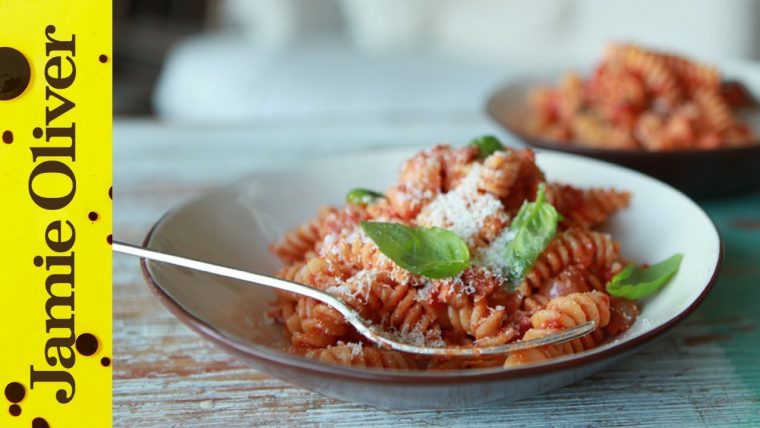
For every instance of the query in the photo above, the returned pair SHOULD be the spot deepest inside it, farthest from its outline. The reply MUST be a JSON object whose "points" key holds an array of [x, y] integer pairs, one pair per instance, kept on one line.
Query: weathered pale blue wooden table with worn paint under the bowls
{"points": [[706, 372]]}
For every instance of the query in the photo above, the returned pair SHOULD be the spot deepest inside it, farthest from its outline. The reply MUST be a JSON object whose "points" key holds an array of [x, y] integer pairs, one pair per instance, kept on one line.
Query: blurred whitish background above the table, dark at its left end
{"points": [[240, 61]]}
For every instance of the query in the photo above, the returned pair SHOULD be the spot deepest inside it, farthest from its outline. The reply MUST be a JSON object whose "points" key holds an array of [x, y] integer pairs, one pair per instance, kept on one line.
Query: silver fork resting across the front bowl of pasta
{"points": [[364, 327]]}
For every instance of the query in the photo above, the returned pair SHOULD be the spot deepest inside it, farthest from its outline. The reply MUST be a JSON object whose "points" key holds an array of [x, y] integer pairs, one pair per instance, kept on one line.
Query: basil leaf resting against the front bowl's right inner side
{"points": [[636, 282]]}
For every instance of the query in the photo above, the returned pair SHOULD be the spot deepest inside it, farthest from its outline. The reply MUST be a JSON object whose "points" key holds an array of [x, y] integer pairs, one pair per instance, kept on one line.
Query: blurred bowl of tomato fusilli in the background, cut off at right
{"points": [[677, 120]]}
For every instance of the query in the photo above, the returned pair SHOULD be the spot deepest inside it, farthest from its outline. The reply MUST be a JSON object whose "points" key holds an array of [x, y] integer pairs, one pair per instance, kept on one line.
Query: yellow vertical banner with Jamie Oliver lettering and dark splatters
{"points": [[55, 213]]}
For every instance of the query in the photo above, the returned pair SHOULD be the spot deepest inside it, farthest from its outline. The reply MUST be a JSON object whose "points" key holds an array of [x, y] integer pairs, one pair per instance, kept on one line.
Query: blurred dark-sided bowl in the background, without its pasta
{"points": [[698, 173]]}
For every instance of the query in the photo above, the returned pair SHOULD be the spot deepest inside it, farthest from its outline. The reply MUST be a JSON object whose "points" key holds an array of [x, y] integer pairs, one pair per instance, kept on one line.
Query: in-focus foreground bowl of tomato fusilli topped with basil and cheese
{"points": [[477, 245]]}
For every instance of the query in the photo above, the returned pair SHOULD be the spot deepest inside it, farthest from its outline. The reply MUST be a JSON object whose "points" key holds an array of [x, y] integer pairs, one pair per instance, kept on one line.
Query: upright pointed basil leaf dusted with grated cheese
{"points": [[533, 228]]}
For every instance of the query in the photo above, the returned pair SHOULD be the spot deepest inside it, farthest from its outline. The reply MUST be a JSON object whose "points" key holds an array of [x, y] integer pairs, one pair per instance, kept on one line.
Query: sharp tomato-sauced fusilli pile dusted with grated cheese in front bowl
{"points": [[476, 198]]}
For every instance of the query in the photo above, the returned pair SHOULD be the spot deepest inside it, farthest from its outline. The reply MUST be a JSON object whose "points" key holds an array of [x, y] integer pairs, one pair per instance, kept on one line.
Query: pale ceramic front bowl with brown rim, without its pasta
{"points": [[234, 224]]}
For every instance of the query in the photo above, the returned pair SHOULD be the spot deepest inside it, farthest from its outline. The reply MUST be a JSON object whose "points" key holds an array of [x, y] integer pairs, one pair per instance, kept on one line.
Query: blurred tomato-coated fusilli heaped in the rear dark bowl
{"points": [[639, 99]]}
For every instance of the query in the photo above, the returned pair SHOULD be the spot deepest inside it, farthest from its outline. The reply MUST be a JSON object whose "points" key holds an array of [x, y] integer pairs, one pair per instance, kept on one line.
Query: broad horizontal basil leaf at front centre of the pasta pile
{"points": [[431, 252]]}
